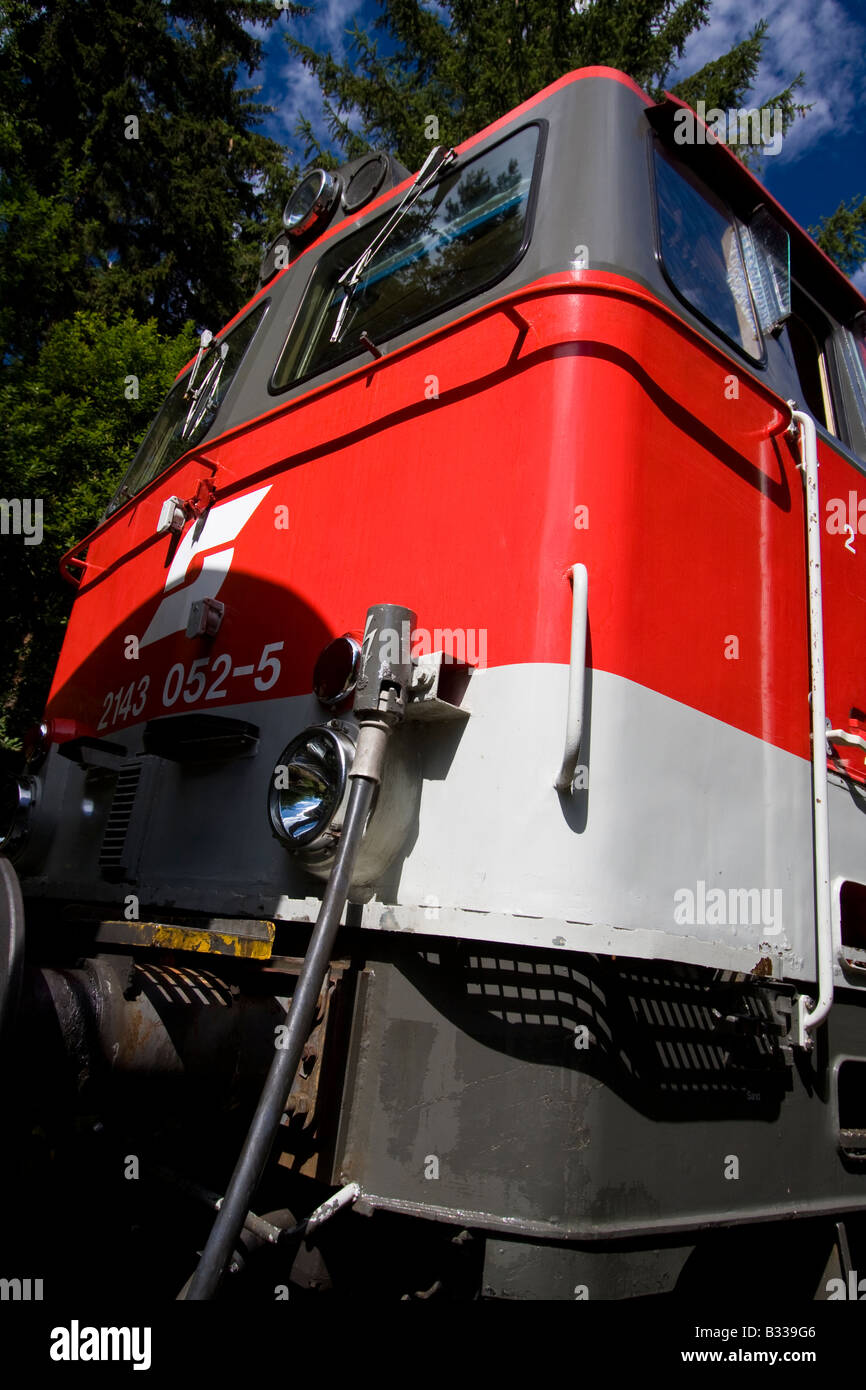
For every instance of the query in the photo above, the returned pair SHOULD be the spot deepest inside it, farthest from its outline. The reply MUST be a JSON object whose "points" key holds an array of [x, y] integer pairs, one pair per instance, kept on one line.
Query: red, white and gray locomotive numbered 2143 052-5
{"points": [[447, 829]]}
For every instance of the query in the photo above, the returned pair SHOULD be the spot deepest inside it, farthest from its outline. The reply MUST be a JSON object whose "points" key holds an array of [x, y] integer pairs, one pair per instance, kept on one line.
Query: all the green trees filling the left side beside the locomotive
{"points": [[111, 247]]}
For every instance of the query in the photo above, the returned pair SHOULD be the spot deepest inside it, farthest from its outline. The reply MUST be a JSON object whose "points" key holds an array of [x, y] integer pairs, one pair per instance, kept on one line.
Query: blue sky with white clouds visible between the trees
{"points": [[824, 158]]}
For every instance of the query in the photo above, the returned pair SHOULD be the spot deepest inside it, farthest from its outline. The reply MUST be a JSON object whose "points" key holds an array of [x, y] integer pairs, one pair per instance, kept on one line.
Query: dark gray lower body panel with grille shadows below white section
{"points": [[585, 1099]]}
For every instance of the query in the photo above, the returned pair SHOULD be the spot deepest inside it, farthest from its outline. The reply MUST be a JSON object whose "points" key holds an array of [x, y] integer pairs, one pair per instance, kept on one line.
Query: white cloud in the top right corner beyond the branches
{"points": [[815, 35]]}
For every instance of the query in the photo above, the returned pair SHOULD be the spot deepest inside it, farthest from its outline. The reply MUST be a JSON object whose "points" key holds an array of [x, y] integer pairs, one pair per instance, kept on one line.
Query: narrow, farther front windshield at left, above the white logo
{"points": [[188, 416]]}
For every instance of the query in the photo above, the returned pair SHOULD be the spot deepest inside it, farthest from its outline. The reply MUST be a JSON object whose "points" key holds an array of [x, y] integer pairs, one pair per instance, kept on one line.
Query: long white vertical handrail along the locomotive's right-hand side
{"points": [[810, 1013]]}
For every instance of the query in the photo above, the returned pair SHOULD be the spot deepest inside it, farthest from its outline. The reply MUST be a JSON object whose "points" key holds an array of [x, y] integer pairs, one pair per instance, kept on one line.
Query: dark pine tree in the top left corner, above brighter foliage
{"points": [[133, 173]]}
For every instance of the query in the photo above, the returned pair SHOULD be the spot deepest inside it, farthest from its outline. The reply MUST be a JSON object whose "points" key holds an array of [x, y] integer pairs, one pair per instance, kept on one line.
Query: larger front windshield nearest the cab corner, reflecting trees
{"points": [[461, 236]]}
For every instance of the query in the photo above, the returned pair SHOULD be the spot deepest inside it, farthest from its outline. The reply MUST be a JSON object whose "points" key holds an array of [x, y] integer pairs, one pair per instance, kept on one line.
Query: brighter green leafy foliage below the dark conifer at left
{"points": [[70, 432]]}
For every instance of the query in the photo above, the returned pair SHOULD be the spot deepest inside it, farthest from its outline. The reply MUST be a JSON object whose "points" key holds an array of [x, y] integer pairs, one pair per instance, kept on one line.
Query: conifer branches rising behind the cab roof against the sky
{"points": [[475, 60]]}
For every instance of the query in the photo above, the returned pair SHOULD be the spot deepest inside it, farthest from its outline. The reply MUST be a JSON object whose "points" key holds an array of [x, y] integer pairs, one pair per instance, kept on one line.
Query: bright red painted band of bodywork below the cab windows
{"points": [[582, 393]]}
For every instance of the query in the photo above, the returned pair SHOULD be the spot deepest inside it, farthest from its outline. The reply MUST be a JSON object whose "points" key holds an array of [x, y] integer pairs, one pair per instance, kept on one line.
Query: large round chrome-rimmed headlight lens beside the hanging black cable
{"points": [[308, 789]]}
